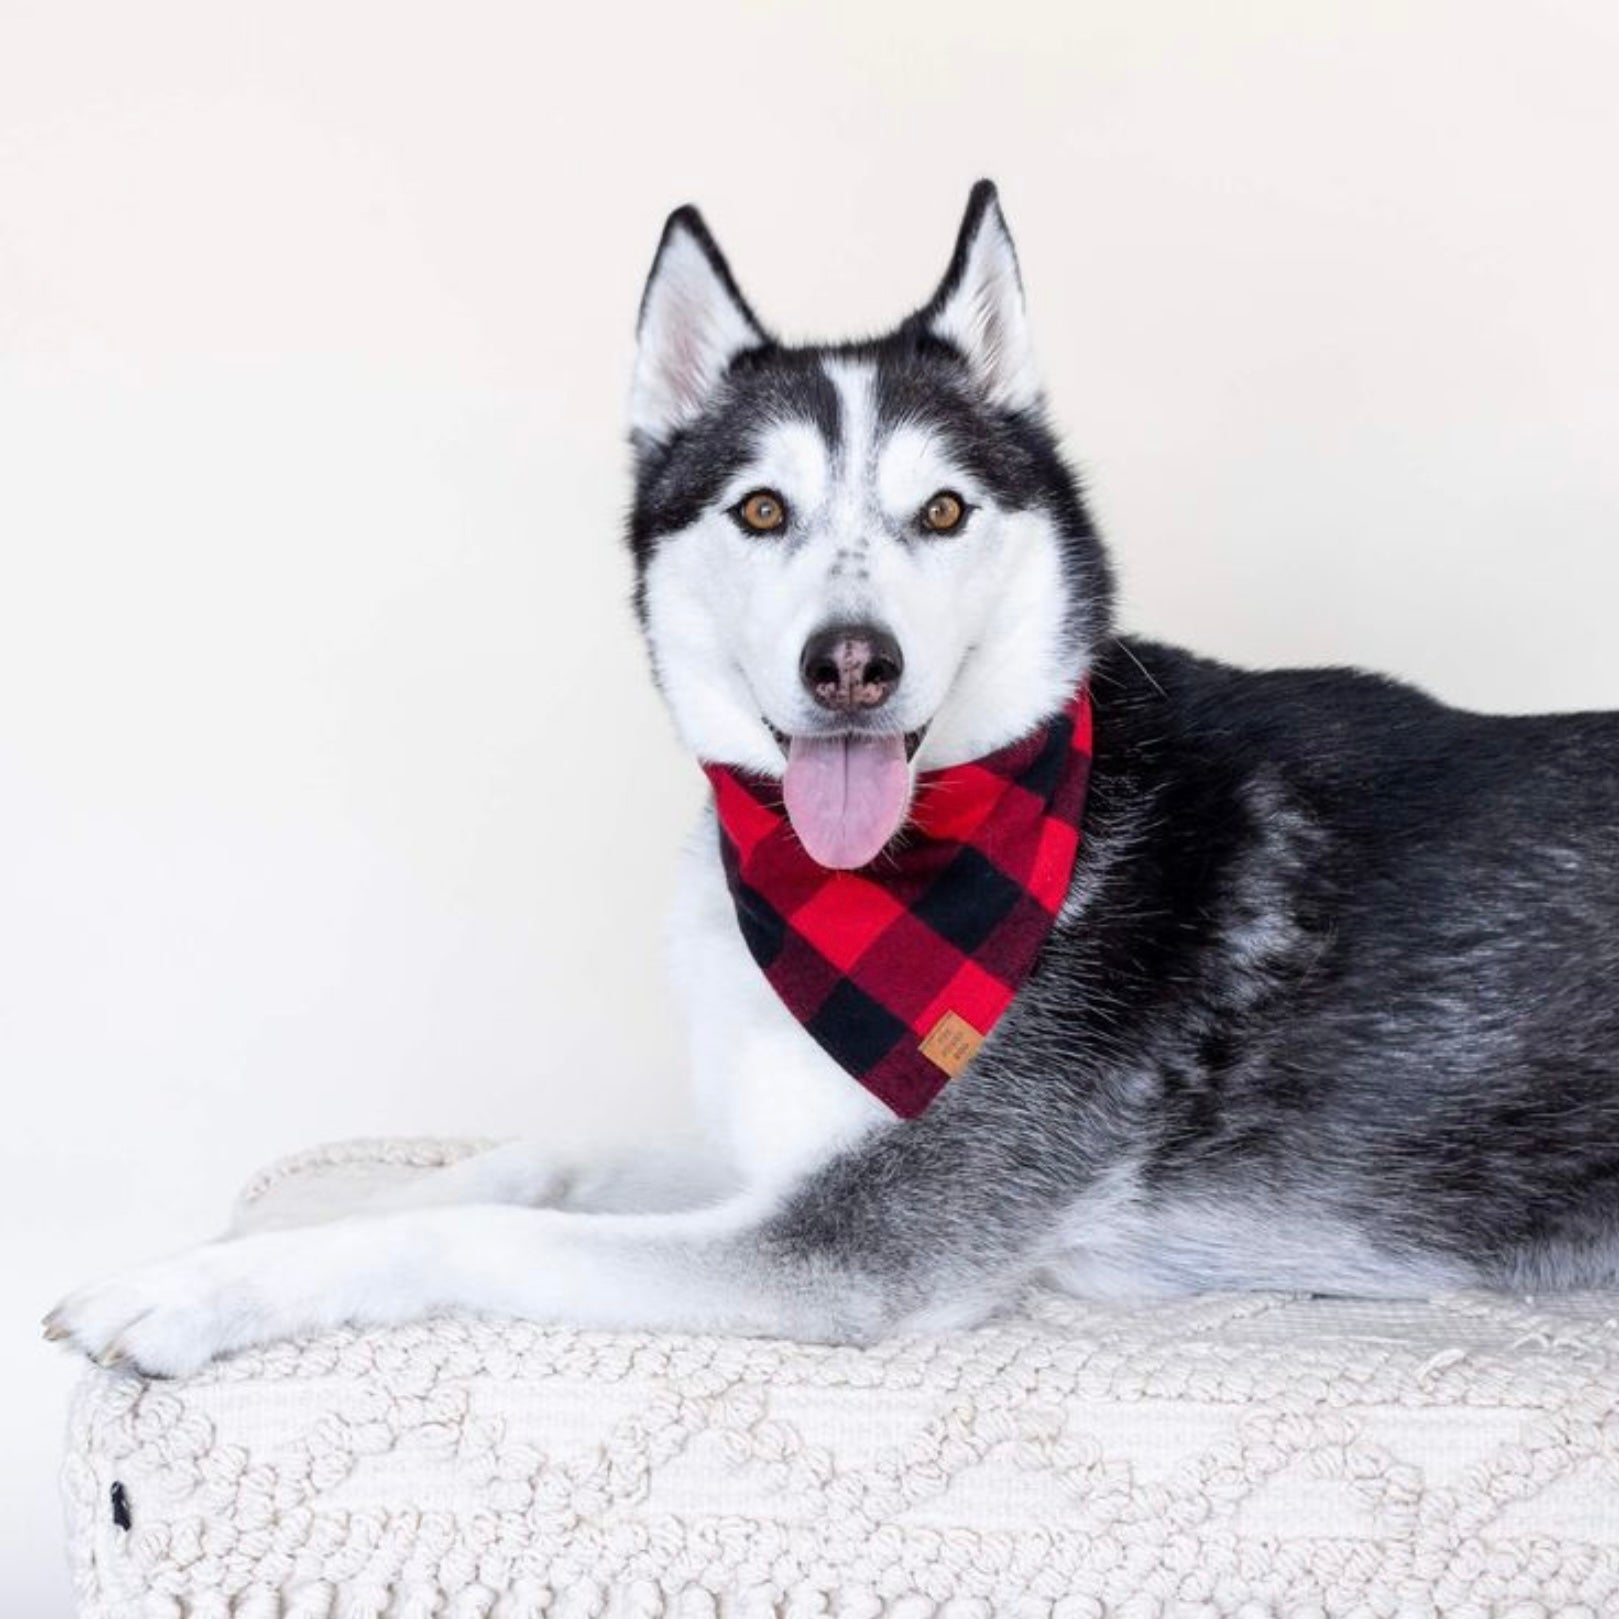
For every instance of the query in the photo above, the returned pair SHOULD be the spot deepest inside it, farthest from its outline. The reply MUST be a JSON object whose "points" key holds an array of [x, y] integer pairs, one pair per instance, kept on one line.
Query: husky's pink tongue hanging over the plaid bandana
{"points": [[846, 796]]}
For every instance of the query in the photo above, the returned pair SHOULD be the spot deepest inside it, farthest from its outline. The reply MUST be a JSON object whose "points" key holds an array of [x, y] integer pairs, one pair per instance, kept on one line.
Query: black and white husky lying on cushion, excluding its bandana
{"points": [[1332, 1003]]}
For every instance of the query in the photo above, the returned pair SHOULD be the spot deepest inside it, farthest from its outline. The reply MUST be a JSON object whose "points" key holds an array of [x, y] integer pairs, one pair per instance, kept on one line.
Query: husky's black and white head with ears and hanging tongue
{"points": [[856, 561]]}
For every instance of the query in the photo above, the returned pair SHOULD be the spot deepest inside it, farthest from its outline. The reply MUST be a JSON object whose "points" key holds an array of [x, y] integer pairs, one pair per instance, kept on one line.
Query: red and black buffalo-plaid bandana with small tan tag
{"points": [[903, 969]]}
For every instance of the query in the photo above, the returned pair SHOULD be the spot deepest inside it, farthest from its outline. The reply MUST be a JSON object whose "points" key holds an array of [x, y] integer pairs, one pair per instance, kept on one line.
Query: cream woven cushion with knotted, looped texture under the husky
{"points": [[1233, 1455]]}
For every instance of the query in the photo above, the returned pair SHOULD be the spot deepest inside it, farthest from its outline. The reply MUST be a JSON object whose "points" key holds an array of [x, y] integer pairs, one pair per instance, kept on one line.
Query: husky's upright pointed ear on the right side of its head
{"points": [[979, 307]]}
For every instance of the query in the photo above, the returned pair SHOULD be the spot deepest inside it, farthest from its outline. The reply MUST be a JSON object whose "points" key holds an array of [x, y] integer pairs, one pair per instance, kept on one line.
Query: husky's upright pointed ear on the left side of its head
{"points": [[694, 325]]}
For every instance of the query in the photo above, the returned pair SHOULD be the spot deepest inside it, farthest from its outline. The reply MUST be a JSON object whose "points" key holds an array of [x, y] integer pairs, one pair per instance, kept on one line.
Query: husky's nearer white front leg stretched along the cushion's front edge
{"points": [[699, 1272]]}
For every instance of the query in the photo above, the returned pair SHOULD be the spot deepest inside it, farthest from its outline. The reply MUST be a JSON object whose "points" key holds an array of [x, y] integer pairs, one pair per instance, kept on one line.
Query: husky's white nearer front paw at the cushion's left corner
{"points": [[172, 1319]]}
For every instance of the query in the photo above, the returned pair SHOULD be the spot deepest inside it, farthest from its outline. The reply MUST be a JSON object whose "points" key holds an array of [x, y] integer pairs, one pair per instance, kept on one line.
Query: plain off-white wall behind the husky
{"points": [[333, 794]]}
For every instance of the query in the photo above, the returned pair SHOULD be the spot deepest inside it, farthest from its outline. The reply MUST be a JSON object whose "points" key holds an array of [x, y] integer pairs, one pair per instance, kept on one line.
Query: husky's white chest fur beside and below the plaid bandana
{"points": [[778, 1102]]}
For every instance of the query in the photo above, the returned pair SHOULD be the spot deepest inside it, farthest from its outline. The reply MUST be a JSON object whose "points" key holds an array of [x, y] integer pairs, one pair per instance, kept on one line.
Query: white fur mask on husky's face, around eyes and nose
{"points": [[979, 614]]}
